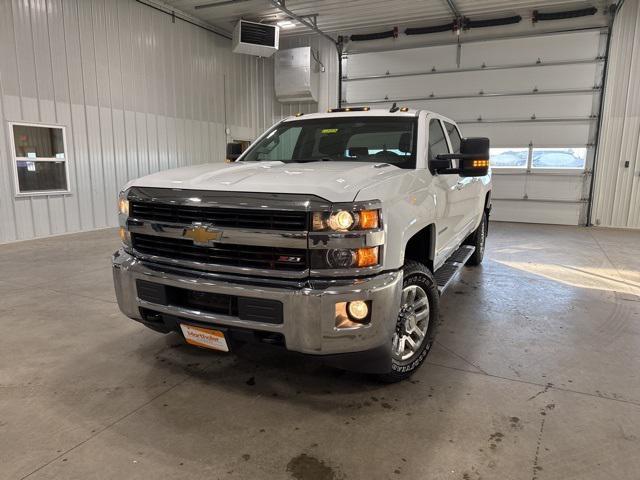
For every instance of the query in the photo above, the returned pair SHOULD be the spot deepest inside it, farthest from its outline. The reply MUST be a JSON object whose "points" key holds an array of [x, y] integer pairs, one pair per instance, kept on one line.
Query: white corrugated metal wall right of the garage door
{"points": [[617, 186]]}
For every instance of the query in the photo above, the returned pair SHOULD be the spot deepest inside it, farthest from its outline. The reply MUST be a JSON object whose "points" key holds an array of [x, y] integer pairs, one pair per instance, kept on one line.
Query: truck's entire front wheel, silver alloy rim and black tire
{"points": [[416, 322]]}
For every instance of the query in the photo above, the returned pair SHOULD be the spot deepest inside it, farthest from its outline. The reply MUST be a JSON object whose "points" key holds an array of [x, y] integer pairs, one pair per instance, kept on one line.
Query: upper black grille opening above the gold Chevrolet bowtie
{"points": [[280, 220]]}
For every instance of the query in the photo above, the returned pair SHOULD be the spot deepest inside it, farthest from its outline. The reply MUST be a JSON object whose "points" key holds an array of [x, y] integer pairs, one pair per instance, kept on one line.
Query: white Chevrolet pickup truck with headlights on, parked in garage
{"points": [[333, 236]]}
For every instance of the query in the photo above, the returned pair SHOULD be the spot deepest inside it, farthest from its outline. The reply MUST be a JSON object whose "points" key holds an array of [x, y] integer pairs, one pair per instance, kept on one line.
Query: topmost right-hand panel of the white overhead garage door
{"points": [[522, 51]]}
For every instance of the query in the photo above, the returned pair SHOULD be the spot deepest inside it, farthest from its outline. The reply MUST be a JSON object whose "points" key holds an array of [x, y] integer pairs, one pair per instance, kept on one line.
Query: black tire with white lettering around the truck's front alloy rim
{"points": [[415, 274]]}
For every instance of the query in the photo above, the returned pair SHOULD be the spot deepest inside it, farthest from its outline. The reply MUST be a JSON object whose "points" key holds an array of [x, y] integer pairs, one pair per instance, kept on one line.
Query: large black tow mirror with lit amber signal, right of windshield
{"points": [[473, 159]]}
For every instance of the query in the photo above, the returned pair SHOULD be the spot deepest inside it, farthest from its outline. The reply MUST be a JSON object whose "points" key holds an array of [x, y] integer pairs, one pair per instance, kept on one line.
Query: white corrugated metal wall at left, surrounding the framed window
{"points": [[136, 93]]}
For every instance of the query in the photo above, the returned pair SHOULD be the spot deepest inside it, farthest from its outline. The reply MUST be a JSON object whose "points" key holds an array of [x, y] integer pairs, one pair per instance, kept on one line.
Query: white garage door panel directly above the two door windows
{"points": [[505, 135]]}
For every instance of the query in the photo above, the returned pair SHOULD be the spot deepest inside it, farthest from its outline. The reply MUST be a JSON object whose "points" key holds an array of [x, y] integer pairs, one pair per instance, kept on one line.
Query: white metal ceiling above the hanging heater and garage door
{"points": [[349, 16]]}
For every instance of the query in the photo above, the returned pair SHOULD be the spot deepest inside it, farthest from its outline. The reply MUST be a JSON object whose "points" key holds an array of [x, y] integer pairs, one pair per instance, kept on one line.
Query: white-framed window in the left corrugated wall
{"points": [[40, 159]]}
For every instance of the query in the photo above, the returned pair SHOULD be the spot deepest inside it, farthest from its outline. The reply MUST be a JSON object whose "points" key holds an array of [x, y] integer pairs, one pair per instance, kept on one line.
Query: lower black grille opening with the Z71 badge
{"points": [[243, 256]]}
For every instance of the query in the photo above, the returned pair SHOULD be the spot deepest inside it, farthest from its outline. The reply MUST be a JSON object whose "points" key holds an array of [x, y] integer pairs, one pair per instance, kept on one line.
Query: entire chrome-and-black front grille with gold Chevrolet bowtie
{"points": [[257, 234]]}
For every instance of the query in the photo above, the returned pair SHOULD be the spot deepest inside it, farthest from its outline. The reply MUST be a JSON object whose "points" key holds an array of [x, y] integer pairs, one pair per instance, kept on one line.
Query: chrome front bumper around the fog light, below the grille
{"points": [[308, 311]]}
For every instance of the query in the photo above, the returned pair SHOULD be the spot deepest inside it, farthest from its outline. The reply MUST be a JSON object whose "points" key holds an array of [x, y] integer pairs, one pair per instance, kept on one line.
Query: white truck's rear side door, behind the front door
{"points": [[469, 190]]}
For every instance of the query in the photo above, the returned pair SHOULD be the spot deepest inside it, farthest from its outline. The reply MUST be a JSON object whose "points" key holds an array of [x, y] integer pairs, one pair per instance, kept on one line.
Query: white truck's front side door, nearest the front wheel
{"points": [[449, 212]]}
